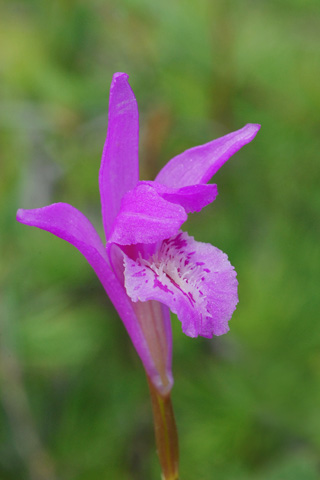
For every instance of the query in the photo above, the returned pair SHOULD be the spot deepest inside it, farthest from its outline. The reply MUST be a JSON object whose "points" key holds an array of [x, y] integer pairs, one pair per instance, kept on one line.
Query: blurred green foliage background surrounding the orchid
{"points": [[74, 402]]}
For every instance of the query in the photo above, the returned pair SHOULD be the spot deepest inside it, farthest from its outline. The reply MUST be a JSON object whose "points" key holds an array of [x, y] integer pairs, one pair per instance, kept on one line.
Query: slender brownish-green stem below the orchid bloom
{"points": [[165, 433]]}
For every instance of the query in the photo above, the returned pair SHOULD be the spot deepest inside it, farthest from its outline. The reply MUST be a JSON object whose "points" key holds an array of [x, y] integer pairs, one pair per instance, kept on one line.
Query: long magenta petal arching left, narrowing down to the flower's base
{"points": [[68, 223]]}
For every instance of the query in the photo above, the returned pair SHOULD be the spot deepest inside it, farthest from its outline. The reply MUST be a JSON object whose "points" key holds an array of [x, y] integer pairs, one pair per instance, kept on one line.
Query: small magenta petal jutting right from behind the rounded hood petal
{"points": [[192, 198]]}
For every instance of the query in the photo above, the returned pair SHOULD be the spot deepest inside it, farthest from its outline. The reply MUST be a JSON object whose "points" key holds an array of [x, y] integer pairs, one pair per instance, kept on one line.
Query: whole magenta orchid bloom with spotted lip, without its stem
{"points": [[148, 265]]}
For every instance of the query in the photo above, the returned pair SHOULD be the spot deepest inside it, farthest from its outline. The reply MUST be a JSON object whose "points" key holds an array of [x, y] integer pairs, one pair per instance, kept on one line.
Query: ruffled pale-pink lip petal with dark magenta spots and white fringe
{"points": [[194, 279]]}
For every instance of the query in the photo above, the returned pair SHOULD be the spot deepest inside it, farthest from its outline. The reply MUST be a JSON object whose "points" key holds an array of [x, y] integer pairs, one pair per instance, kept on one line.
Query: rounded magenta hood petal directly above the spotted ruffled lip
{"points": [[145, 217]]}
